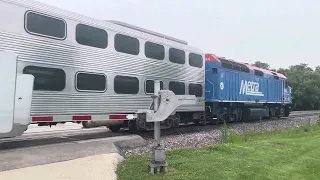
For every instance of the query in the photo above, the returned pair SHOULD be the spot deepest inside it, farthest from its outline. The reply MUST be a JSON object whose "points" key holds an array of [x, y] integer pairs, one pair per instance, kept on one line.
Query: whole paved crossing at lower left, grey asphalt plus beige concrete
{"points": [[94, 159]]}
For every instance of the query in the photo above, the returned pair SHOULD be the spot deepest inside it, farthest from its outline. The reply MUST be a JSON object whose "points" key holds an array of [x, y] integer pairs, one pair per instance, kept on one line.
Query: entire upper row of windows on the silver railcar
{"points": [[52, 27]]}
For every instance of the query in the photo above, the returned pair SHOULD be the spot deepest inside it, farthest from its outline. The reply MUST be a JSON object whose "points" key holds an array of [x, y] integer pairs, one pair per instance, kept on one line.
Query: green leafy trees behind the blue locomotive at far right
{"points": [[305, 83]]}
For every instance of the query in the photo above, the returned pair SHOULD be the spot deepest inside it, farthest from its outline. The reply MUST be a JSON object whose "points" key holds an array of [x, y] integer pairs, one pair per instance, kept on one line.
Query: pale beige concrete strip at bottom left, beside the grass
{"points": [[98, 167]]}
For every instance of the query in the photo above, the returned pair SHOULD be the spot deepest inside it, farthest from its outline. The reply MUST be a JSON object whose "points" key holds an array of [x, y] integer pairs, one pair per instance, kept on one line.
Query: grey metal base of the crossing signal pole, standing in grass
{"points": [[158, 163]]}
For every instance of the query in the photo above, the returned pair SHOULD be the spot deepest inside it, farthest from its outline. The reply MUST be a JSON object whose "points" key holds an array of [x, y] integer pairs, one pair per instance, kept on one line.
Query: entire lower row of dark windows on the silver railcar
{"points": [[52, 79]]}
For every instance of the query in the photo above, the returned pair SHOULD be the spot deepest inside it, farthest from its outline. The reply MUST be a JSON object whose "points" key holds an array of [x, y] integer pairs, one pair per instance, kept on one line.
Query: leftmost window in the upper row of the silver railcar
{"points": [[43, 25]]}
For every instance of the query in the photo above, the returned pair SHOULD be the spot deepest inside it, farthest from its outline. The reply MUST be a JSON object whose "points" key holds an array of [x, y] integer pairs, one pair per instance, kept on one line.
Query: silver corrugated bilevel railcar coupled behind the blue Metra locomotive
{"points": [[90, 70]]}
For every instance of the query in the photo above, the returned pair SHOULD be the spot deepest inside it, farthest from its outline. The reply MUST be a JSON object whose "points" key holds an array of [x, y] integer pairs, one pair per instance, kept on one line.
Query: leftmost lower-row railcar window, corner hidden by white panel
{"points": [[47, 79]]}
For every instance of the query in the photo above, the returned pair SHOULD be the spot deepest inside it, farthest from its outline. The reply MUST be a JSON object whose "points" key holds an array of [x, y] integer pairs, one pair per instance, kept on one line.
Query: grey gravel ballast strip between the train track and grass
{"points": [[206, 136]]}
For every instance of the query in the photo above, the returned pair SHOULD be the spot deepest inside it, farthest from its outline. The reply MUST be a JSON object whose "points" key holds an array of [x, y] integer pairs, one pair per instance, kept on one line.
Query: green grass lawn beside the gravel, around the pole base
{"points": [[286, 154]]}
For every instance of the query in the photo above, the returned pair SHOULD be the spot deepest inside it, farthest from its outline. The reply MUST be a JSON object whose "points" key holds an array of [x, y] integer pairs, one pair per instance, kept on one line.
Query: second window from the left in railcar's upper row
{"points": [[91, 36]]}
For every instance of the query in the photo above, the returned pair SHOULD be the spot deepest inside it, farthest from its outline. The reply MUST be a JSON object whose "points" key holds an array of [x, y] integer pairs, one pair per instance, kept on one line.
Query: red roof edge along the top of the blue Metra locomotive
{"points": [[214, 58]]}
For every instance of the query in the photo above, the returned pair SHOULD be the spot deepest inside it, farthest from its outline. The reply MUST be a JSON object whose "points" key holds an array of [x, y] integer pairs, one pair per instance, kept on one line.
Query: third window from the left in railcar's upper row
{"points": [[126, 44]]}
